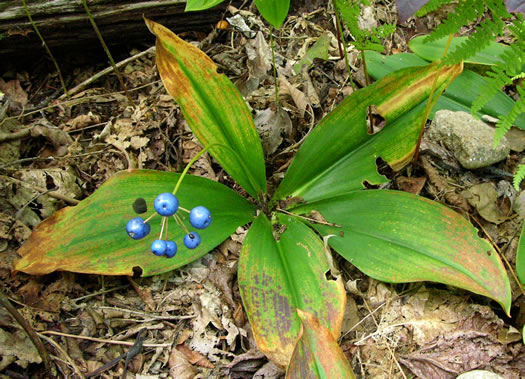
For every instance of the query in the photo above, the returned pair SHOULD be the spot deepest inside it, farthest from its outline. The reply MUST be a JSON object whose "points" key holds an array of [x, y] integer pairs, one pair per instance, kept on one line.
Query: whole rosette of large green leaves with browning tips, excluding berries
{"points": [[293, 296]]}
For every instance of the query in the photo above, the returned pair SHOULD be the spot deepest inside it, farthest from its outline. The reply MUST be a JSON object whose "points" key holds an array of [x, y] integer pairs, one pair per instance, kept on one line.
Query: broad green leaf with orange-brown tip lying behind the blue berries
{"points": [[91, 237]]}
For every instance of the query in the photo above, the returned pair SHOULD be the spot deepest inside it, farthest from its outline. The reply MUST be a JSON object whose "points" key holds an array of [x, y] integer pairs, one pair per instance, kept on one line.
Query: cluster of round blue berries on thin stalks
{"points": [[166, 205]]}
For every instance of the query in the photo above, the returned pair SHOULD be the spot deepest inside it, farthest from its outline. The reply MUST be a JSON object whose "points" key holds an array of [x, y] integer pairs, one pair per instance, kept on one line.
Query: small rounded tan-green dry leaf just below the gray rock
{"points": [[484, 198]]}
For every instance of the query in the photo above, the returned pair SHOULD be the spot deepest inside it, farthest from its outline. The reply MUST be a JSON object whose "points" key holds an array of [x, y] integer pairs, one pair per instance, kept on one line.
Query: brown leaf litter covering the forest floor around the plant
{"points": [[195, 325]]}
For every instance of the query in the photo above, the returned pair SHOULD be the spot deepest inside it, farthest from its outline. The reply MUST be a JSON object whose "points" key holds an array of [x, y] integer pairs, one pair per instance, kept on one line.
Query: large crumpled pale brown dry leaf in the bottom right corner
{"points": [[452, 336]]}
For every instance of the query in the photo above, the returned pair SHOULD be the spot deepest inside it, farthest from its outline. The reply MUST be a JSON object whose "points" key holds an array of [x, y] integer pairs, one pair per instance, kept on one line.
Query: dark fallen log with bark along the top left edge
{"points": [[65, 25]]}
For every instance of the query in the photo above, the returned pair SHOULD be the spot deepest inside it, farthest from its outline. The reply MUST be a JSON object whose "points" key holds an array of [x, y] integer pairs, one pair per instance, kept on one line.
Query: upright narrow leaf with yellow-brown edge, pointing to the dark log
{"points": [[213, 108]]}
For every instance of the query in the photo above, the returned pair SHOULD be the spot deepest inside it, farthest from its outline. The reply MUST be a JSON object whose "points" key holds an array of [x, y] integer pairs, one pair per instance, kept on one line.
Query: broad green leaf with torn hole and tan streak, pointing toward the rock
{"points": [[339, 154]]}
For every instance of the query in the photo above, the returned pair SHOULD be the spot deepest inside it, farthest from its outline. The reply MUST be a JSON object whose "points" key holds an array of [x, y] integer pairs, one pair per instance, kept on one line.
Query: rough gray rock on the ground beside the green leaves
{"points": [[470, 140]]}
